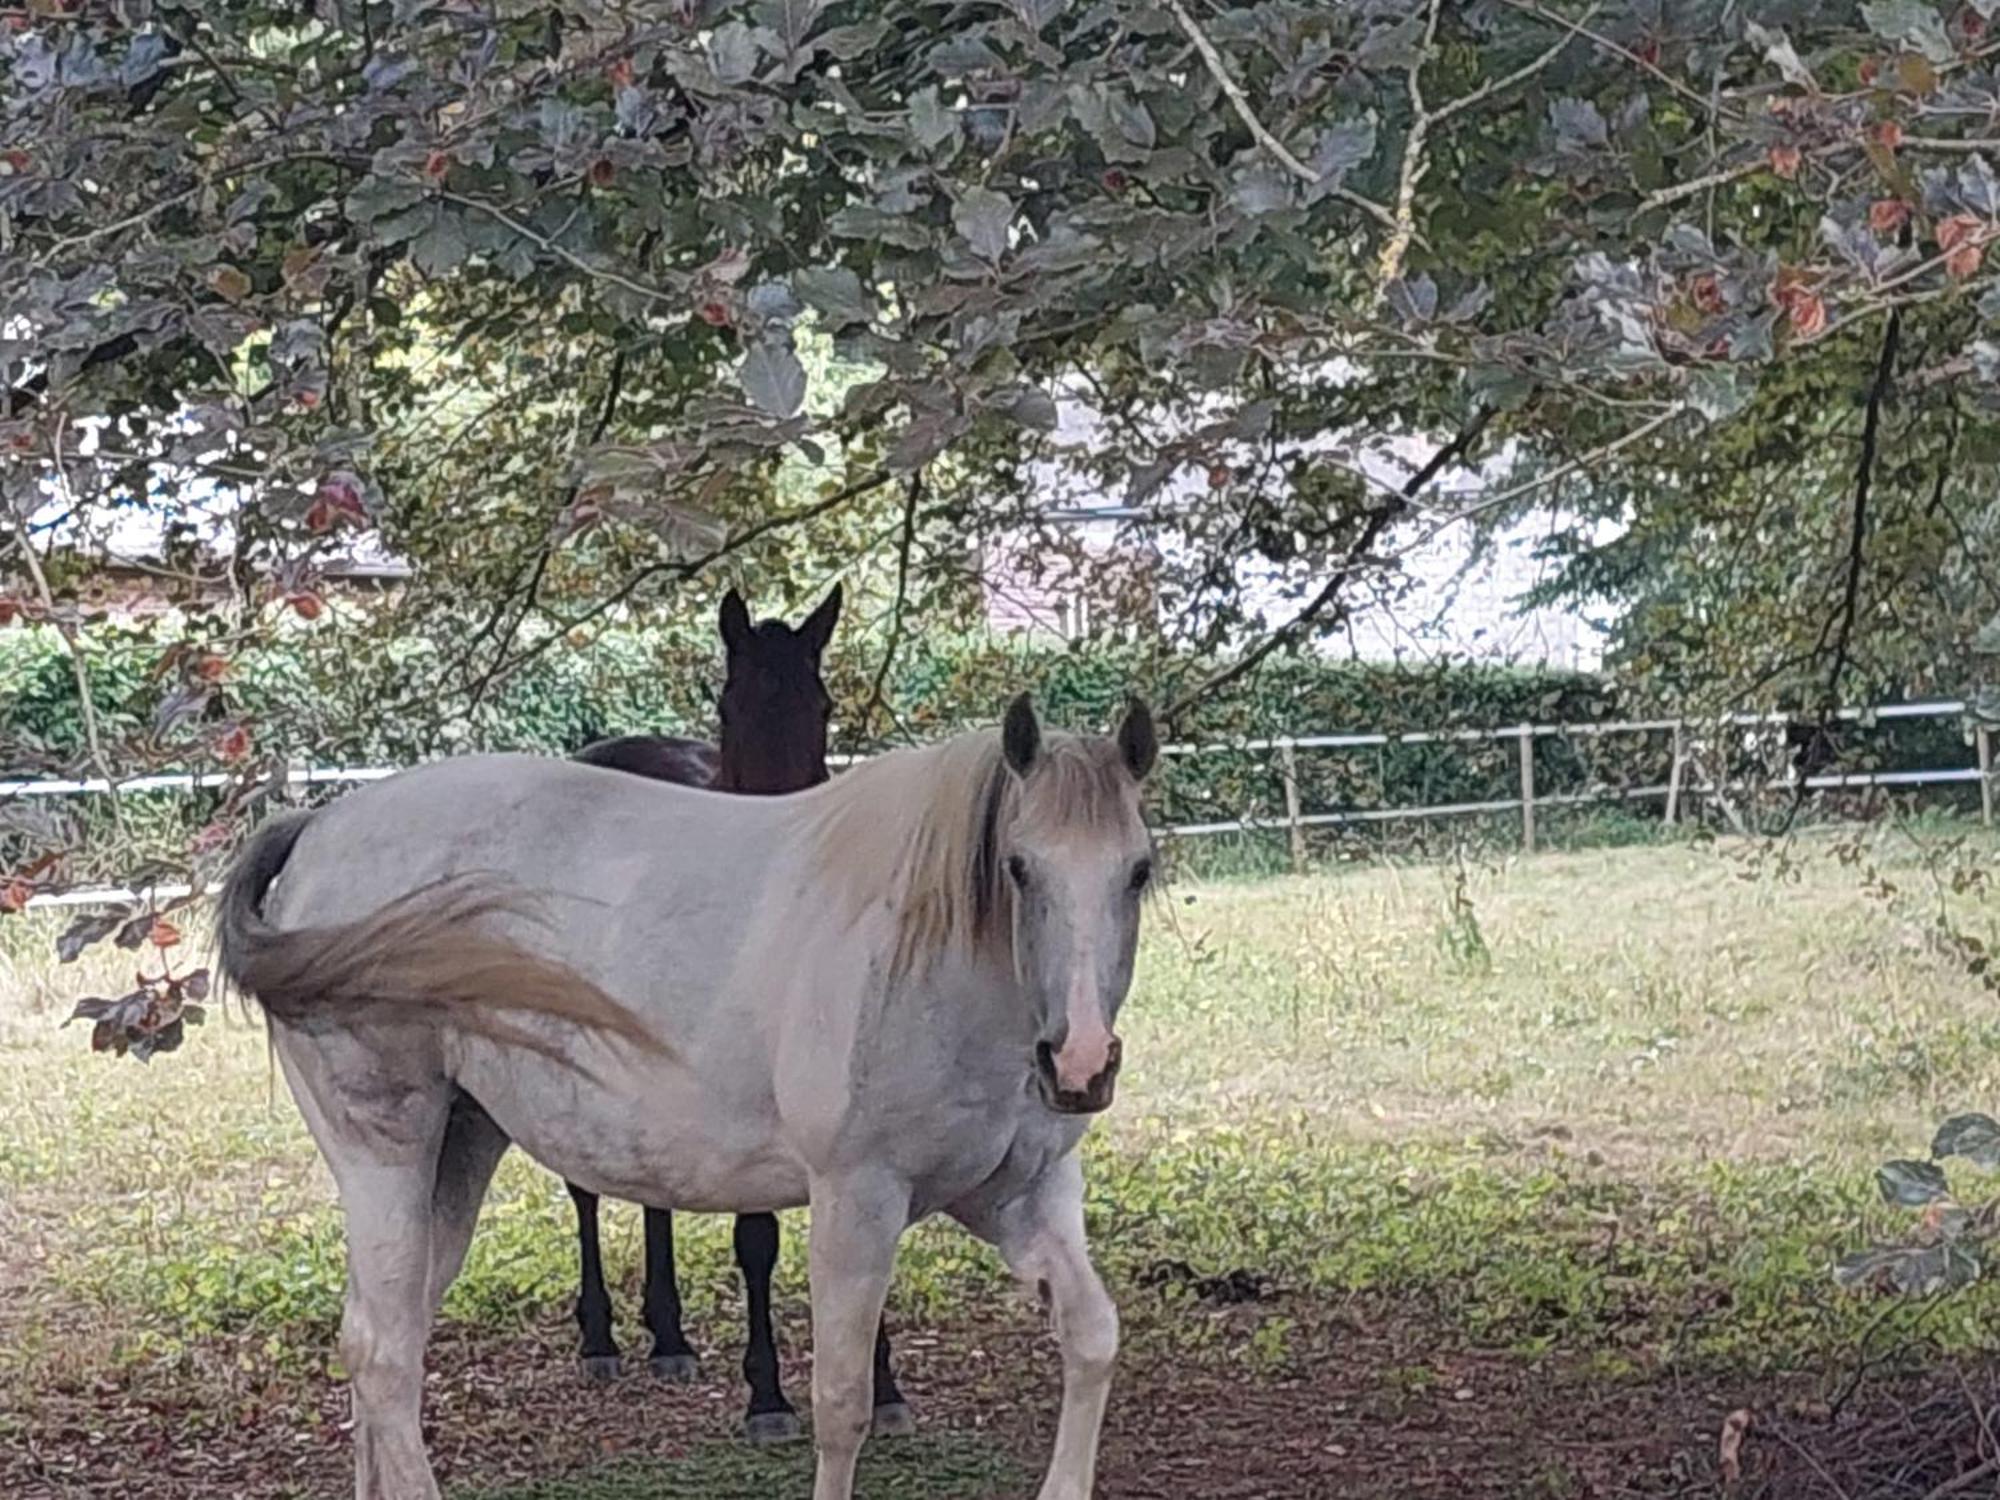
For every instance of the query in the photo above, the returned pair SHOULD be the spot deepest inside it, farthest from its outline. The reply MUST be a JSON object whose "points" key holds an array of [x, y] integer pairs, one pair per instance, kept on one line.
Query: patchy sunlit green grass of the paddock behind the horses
{"points": [[1615, 1105]]}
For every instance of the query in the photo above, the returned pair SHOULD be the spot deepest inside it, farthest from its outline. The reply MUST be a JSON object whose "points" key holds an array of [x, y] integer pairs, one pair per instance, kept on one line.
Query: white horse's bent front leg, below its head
{"points": [[1043, 1241]]}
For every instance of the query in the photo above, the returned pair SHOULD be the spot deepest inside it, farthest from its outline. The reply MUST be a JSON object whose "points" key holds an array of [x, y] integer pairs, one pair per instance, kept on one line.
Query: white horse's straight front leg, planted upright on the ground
{"points": [[855, 1229]]}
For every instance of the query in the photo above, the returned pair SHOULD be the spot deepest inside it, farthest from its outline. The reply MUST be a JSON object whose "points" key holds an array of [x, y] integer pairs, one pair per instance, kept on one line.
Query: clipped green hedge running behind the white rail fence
{"points": [[321, 697]]}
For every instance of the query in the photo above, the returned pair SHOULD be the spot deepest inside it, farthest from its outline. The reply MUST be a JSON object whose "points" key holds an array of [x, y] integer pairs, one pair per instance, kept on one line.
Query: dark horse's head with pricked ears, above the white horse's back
{"points": [[775, 707]]}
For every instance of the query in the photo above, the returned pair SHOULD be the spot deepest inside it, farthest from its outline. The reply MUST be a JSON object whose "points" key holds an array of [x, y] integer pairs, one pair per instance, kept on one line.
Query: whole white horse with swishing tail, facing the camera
{"points": [[885, 997]]}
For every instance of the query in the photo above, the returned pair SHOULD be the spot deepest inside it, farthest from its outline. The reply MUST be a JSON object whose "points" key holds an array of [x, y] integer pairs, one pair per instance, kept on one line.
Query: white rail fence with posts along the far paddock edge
{"points": [[1687, 775]]}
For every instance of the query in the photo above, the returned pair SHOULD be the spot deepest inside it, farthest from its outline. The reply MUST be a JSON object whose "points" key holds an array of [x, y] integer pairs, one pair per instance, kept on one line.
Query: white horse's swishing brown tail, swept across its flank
{"points": [[421, 959]]}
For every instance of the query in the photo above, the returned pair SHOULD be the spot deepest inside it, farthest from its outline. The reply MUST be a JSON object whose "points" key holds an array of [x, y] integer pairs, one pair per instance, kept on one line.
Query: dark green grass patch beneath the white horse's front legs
{"points": [[917, 1469]]}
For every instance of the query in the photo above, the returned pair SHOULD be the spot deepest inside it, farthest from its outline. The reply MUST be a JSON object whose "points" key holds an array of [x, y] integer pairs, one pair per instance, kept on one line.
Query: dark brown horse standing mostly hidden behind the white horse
{"points": [[775, 711]]}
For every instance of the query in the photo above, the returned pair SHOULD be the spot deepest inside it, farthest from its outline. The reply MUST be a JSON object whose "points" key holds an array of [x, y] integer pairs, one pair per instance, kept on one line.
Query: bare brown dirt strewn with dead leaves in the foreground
{"points": [[1363, 1415]]}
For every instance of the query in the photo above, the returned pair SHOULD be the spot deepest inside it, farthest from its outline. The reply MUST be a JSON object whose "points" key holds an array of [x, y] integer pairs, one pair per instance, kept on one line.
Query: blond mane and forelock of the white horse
{"points": [[923, 833]]}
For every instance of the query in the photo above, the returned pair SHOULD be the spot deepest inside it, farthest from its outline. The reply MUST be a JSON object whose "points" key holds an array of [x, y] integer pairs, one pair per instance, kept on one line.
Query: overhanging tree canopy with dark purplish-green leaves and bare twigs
{"points": [[577, 301]]}
